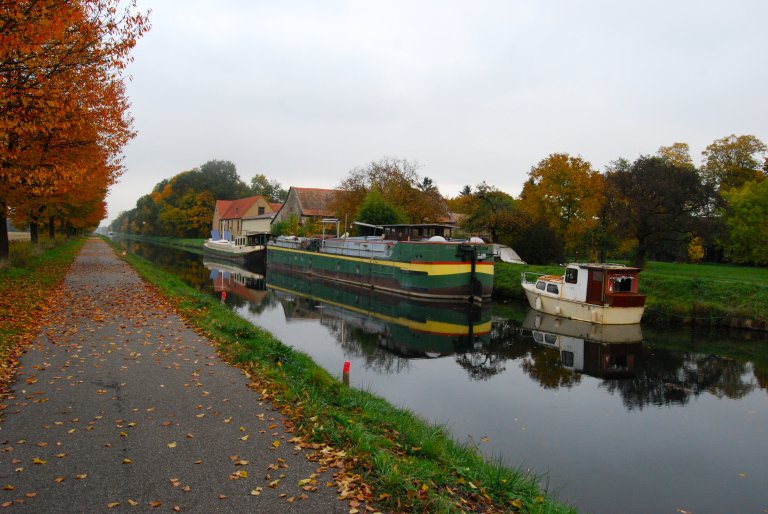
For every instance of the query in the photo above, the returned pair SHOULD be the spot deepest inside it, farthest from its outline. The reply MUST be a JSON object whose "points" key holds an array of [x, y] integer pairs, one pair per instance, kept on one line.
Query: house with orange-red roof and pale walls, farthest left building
{"points": [[246, 215]]}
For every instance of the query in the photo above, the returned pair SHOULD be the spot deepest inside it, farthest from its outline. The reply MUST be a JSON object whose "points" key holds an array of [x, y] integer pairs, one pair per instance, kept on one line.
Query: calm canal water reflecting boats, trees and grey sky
{"points": [[627, 419]]}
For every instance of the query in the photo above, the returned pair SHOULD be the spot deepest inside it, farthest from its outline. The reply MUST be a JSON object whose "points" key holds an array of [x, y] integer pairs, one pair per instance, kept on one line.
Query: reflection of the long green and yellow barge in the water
{"points": [[402, 325]]}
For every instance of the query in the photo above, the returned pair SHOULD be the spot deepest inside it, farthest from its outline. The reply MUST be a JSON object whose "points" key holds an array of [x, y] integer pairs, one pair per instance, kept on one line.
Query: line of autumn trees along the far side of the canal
{"points": [[659, 206]]}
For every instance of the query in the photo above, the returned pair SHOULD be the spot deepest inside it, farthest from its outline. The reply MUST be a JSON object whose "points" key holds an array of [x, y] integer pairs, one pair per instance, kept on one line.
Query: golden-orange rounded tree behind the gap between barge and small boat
{"points": [[567, 194]]}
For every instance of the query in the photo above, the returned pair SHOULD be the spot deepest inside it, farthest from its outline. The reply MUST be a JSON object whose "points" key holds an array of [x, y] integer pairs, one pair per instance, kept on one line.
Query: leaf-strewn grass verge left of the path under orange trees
{"points": [[26, 282]]}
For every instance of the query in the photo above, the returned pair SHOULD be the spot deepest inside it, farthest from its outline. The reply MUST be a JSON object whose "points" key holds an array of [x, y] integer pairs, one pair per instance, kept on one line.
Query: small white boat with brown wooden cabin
{"points": [[598, 293]]}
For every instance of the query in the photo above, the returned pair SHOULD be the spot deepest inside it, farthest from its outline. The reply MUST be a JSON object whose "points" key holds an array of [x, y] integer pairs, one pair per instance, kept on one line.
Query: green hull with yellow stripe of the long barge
{"points": [[426, 271]]}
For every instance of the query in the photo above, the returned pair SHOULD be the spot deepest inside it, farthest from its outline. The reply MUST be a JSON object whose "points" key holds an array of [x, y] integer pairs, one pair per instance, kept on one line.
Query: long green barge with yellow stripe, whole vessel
{"points": [[412, 260]]}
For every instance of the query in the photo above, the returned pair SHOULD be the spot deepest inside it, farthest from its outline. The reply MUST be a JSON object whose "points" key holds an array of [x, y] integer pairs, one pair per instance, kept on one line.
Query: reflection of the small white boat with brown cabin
{"points": [[603, 351]]}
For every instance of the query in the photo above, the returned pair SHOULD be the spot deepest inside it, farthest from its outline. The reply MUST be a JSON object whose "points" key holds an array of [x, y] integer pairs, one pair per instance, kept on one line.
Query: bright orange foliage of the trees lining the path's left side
{"points": [[63, 109]]}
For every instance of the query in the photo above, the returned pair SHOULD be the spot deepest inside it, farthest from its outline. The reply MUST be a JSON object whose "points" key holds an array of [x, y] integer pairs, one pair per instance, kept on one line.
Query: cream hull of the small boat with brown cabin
{"points": [[562, 307]]}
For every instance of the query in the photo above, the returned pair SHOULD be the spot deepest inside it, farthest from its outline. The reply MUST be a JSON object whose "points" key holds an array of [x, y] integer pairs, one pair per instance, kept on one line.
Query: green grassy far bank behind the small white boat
{"points": [[700, 294]]}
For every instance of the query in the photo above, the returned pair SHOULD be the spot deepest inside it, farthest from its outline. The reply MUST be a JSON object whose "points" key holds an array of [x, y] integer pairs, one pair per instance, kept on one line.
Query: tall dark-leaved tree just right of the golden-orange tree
{"points": [[658, 205]]}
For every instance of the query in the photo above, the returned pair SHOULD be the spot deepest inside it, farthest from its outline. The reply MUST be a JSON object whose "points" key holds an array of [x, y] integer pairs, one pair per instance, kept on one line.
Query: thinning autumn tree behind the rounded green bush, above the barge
{"points": [[400, 185]]}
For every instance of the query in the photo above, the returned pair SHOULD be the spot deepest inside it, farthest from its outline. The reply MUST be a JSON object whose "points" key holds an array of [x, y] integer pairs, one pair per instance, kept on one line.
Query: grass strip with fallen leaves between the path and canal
{"points": [[395, 459]]}
